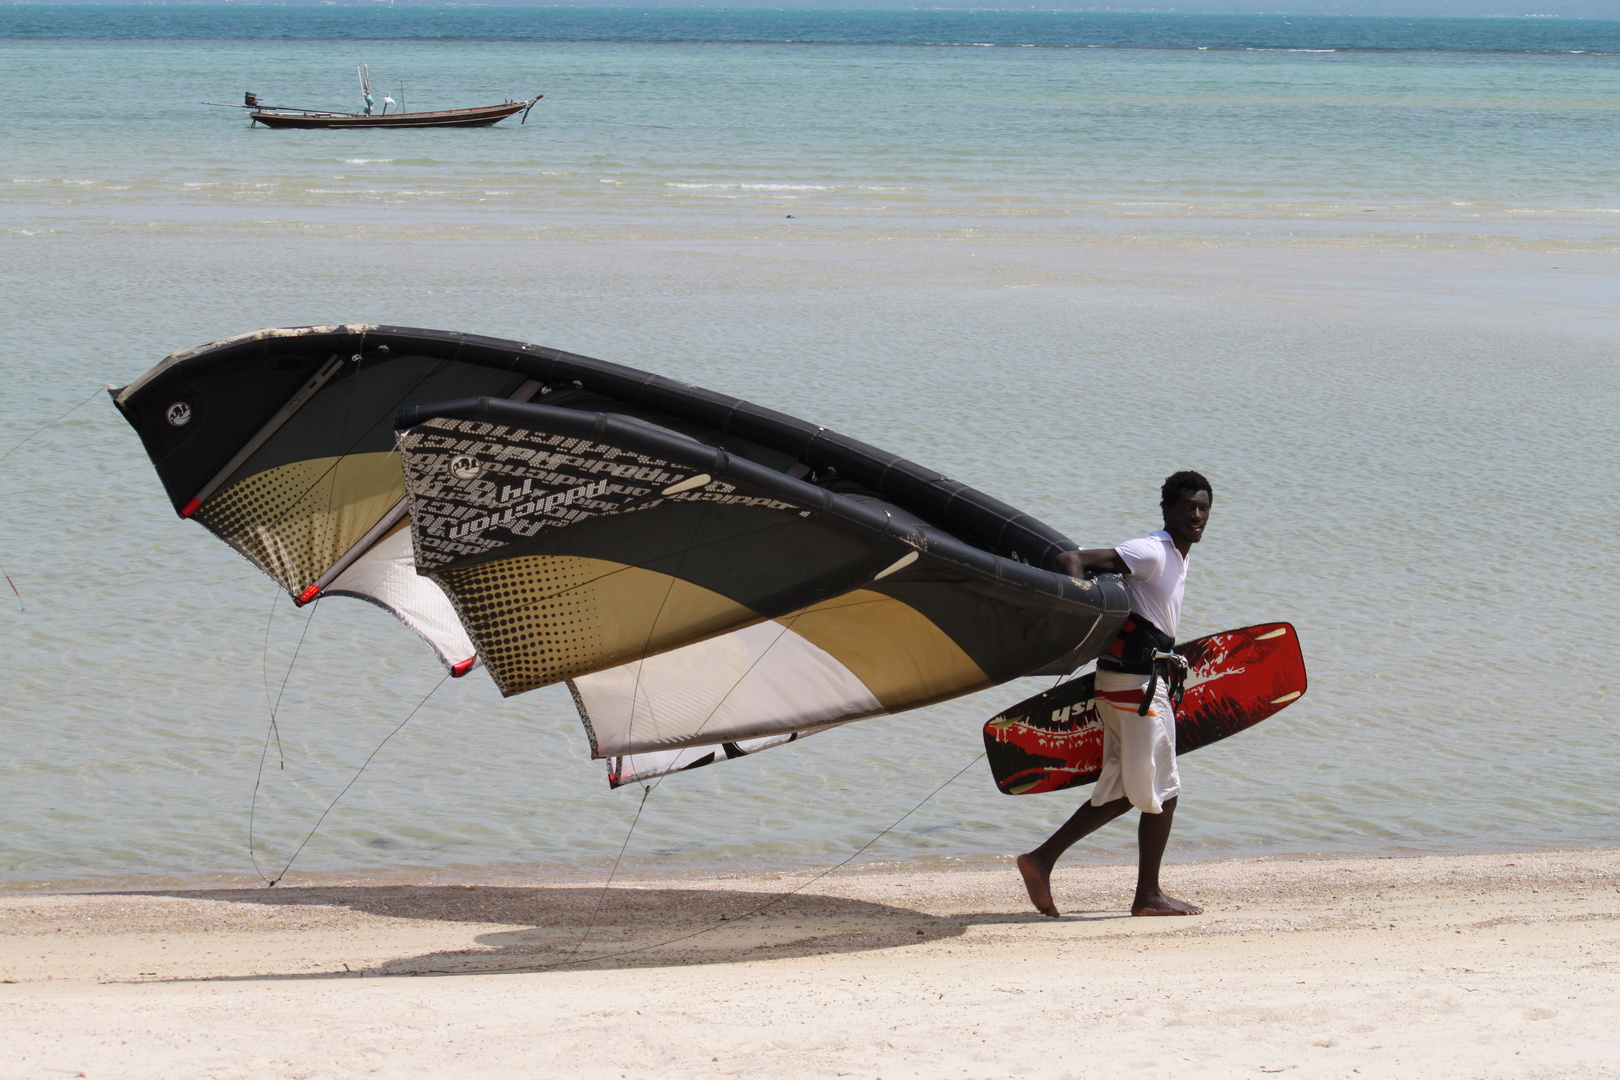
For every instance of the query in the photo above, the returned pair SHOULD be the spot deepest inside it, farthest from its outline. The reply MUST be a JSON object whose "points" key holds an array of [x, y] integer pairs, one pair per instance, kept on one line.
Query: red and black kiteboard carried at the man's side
{"points": [[1235, 681]]}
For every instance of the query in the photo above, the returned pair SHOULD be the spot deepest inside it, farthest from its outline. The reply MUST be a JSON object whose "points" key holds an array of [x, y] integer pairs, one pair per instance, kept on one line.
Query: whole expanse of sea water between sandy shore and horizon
{"points": [[1358, 271]]}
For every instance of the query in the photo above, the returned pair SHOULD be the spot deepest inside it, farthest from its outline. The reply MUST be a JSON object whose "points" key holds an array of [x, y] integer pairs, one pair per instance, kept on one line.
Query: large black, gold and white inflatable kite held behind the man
{"points": [[707, 576]]}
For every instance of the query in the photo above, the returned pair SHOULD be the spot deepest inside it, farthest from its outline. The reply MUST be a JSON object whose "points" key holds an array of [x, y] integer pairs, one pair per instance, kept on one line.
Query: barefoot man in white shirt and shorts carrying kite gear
{"points": [[1140, 738]]}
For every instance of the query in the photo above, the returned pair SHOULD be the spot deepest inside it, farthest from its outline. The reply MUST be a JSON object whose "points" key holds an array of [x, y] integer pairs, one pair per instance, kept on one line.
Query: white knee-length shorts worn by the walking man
{"points": [[1140, 752]]}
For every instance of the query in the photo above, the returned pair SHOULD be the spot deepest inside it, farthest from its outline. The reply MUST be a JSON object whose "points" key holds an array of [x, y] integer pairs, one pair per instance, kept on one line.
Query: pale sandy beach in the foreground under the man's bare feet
{"points": [[1477, 966]]}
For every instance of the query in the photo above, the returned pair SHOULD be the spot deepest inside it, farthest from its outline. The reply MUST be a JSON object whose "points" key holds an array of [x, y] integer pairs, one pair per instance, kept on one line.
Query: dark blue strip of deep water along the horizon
{"points": [[1059, 30]]}
